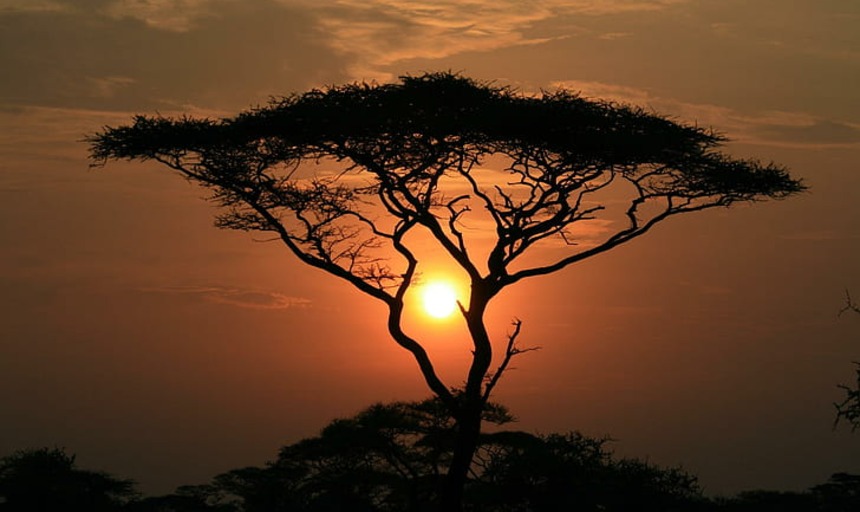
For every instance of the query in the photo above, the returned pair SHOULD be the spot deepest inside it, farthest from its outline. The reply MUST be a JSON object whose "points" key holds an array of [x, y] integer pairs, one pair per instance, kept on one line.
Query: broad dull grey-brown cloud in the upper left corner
{"points": [[225, 54]]}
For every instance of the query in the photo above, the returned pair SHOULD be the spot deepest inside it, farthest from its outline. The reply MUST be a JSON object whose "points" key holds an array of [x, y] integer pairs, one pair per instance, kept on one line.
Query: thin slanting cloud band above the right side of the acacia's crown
{"points": [[775, 128]]}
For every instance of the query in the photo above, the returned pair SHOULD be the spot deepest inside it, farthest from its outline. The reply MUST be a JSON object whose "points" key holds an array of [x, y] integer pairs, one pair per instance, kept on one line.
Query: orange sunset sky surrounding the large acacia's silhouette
{"points": [[159, 348]]}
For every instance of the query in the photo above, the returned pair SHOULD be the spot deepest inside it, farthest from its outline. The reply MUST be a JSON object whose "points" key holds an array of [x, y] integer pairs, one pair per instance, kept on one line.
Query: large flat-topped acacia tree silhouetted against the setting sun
{"points": [[349, 177]]}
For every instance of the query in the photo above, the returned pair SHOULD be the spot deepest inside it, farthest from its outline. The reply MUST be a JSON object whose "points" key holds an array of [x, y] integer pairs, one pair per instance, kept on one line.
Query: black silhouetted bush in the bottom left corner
{"points": [[40, 480]]}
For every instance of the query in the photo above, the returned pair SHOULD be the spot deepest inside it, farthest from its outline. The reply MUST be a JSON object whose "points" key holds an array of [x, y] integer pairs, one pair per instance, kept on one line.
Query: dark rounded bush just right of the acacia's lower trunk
{"points": [[575, 472]]}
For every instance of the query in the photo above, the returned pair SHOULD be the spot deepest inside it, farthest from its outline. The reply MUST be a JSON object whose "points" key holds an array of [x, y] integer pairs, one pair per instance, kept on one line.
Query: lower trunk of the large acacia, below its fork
{"points": [[465, 444]]}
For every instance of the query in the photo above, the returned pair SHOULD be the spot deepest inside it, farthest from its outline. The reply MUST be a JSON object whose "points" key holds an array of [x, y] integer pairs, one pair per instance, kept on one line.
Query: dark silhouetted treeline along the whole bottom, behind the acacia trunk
{"points": [[393, 457]]}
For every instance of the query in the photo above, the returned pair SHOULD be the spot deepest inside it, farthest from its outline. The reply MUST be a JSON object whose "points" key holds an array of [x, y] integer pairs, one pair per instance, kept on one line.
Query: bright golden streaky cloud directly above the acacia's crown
{"points": [[377, 34]]}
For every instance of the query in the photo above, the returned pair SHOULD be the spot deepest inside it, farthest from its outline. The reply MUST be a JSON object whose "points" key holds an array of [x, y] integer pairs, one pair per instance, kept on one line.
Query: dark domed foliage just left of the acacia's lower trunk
{"points": [[388, 457]]}
